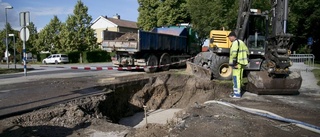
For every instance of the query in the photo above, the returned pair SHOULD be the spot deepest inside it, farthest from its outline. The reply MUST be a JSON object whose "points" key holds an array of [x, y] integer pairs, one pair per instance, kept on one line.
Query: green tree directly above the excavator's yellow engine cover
{"points": [[207, 15]]}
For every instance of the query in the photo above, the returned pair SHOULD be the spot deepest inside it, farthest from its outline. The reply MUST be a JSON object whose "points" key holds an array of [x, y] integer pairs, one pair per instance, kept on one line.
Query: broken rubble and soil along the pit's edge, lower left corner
{"points": [[60, 120]]}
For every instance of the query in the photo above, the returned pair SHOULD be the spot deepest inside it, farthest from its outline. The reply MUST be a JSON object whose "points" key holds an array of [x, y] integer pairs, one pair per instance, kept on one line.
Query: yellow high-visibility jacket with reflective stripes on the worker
{"points": [[239, 53]]}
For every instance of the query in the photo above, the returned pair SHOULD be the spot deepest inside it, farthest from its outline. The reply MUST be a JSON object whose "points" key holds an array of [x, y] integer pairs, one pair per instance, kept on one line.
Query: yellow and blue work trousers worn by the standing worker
{"points": [[237, 74]]}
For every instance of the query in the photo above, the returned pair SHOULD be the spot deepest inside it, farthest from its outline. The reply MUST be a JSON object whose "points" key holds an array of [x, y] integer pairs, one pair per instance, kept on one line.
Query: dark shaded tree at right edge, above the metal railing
{"points": [[304, 18]]}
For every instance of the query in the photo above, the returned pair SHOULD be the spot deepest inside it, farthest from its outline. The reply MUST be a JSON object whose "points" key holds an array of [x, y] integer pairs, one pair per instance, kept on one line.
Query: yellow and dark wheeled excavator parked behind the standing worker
{"points": [[268, 69]]}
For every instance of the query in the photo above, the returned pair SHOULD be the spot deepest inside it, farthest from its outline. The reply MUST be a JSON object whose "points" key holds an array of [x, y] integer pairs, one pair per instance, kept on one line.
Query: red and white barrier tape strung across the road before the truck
{"points": [[121, 68]]}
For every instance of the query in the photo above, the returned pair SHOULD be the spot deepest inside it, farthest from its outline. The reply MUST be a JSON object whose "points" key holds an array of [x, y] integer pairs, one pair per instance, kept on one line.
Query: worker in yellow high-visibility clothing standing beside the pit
{"points": [[238, 59]]}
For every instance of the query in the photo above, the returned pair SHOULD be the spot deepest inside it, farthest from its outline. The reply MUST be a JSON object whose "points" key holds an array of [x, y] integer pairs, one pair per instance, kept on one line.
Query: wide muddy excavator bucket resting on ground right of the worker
{"points": [[260, 83]]}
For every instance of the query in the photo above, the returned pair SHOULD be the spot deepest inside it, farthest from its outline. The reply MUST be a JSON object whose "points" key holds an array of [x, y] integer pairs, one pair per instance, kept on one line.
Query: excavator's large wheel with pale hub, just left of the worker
{"points": [[220, 67]]}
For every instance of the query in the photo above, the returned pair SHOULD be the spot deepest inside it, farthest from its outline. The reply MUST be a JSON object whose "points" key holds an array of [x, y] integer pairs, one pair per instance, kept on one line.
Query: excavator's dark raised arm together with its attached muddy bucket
{"points": [[275, 76]]}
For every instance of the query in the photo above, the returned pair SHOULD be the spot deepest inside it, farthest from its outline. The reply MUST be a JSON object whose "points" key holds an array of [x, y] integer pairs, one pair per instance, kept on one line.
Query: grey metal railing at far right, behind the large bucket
{"points": [[308, 59]]}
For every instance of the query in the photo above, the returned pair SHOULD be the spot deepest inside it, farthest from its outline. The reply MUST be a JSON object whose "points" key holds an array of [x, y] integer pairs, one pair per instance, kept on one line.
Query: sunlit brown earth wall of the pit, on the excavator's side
{"points": [[178, 91]]}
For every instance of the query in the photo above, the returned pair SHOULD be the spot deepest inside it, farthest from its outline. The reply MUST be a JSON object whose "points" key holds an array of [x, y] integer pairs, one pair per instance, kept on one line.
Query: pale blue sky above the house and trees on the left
{"points": [[42, 11]]}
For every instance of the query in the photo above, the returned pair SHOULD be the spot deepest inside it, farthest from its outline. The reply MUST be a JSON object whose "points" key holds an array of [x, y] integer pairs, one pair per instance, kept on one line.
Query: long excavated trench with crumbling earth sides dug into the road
{"points": [[127, 98]]}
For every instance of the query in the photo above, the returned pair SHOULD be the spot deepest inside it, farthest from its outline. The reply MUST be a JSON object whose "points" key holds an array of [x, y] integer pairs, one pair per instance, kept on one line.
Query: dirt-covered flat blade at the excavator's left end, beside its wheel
{"points": [[198, 71]]}
